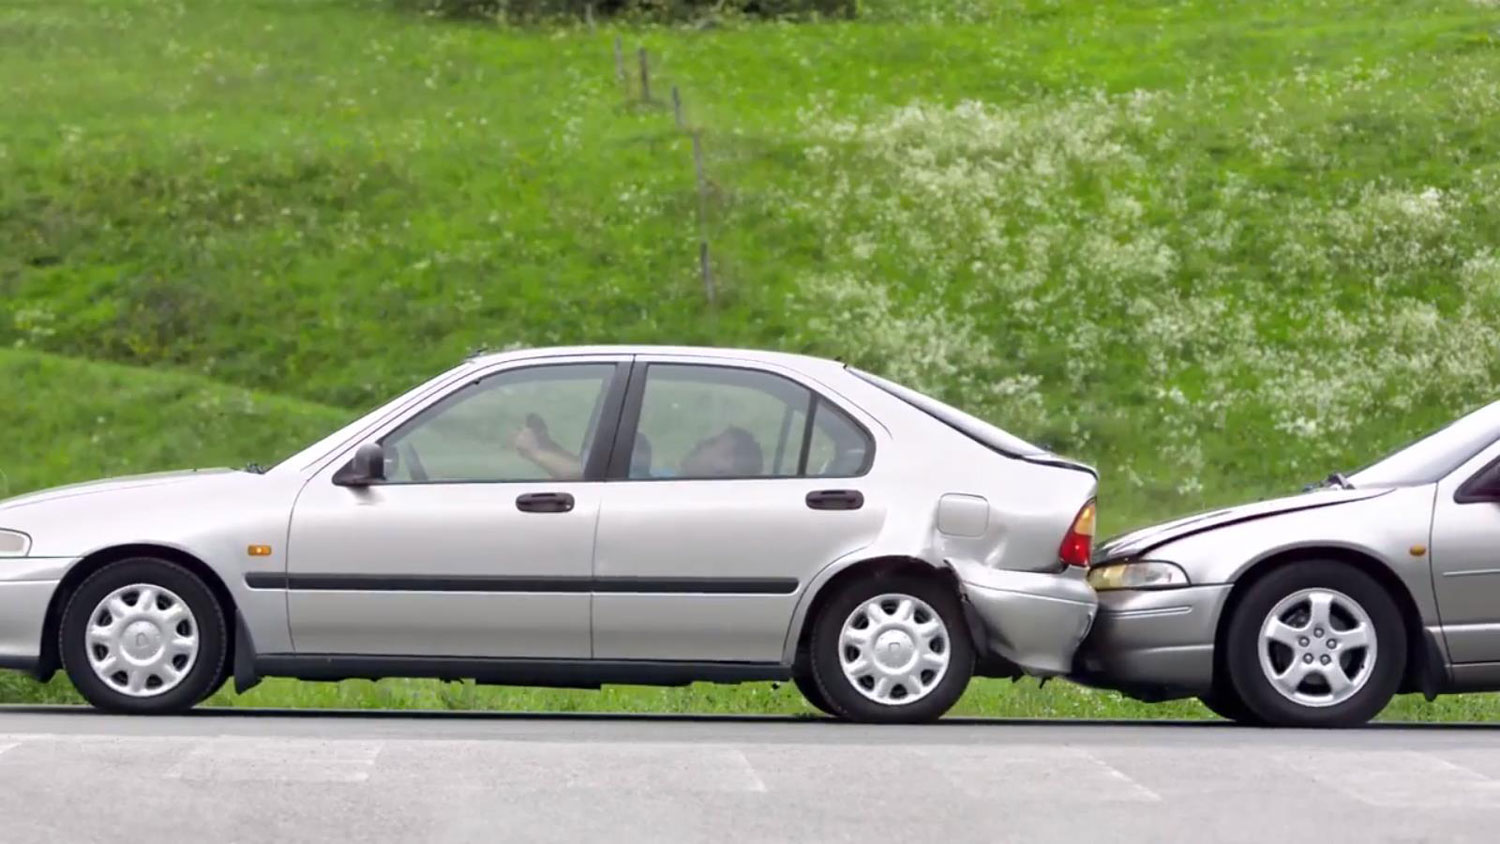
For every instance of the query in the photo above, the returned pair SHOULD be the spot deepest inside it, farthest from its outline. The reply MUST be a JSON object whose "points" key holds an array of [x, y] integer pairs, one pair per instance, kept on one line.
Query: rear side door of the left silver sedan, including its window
{"points": [[731, 488]]}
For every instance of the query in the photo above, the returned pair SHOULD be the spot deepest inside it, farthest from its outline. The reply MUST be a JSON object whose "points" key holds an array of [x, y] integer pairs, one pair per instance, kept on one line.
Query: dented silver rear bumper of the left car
{"points": [[1031, 620]]}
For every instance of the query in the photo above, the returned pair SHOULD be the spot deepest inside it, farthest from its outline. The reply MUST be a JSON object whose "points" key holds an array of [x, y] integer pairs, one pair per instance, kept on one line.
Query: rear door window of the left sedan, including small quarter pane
{"points": [[712, 422]]}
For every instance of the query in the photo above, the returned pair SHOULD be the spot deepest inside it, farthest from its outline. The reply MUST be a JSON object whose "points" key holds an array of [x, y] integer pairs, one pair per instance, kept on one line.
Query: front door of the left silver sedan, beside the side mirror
{"points": [[473, 546]]}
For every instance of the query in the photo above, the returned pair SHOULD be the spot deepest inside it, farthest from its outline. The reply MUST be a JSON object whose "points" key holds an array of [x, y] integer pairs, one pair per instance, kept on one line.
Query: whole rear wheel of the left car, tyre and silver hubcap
{"points": [[892, 650]]}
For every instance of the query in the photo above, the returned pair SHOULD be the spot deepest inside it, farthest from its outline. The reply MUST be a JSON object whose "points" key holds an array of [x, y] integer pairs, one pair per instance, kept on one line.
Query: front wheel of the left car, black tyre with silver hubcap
{"points": [[143, 636]]}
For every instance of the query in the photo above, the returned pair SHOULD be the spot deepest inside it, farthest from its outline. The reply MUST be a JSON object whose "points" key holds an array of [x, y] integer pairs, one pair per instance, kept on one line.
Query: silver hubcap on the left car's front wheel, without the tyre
{"points": [[142, 641]]}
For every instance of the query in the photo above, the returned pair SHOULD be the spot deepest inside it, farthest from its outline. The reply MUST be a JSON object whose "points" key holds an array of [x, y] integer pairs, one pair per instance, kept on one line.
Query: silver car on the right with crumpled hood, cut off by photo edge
{"points": [[1316, 609]]}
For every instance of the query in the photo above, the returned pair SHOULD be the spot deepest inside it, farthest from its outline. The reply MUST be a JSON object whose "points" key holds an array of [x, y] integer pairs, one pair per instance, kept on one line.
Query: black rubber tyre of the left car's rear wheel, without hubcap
{"points": [[839, 692]]}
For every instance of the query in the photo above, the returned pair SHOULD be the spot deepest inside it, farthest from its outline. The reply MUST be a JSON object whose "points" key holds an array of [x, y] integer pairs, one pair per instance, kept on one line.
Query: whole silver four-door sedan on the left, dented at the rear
{"points": [[575, 518]]}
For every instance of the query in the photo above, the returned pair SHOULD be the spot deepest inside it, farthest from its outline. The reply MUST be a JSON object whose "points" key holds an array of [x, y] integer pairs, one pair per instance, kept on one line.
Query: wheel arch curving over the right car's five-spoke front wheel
{"points": [[1423, 665]]}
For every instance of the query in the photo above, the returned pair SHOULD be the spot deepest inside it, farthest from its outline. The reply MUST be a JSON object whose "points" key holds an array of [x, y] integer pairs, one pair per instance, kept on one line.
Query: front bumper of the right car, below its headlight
{"points": [[1154, 644]]}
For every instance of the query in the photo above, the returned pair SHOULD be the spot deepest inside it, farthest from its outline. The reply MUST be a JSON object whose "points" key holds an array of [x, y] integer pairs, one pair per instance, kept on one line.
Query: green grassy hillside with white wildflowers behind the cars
{"points": [[1217, 250]]}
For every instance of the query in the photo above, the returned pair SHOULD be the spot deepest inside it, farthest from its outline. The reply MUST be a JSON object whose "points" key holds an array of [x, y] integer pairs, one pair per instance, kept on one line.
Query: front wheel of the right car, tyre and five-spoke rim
{"points": [[1316, 644]]}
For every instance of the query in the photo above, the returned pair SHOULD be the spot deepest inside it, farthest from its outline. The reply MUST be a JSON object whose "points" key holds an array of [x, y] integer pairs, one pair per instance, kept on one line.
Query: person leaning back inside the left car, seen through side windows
{"points": [[731, 453]]}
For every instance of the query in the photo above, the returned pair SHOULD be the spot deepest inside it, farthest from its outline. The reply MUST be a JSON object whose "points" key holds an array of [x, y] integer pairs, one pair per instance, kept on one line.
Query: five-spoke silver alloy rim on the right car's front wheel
{"points": [[1318, 647]]}
